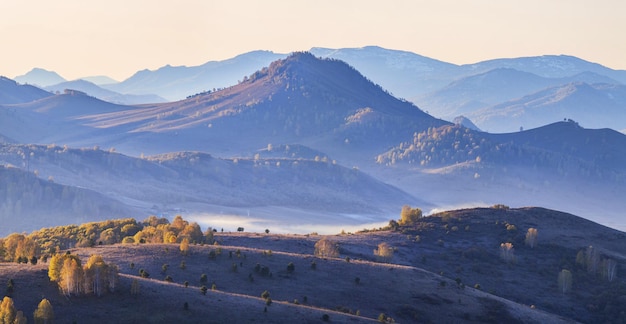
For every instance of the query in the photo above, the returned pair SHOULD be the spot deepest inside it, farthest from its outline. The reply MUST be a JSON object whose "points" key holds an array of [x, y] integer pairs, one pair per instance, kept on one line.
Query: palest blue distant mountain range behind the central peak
{"points": [[443, 89]]}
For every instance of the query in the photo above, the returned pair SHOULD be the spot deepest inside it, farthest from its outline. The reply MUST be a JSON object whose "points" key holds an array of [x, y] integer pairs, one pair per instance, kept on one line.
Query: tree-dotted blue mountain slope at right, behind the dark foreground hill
{"points": [[560, 166]]}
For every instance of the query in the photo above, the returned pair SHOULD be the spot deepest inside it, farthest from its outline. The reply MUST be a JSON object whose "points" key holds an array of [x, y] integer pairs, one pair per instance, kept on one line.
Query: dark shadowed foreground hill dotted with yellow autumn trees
{"points": [[448, 267]]}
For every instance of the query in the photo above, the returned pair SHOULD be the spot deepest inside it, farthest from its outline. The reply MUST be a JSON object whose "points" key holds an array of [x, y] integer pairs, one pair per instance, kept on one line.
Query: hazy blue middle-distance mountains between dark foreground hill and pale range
{"points": [[313, 138]]}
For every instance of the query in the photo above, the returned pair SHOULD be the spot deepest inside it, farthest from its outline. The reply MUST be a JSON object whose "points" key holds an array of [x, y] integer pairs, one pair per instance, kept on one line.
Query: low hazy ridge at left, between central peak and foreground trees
{"points": [[199, 183]]}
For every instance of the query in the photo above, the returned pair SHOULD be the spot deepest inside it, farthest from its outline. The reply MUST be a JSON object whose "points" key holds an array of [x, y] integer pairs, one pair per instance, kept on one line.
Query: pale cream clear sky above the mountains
{"points": [[78, 38]]}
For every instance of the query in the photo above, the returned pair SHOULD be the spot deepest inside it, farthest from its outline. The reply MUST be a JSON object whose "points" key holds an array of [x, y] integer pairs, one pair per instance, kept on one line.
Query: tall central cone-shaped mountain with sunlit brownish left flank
{"points": [[301, 99]]}
